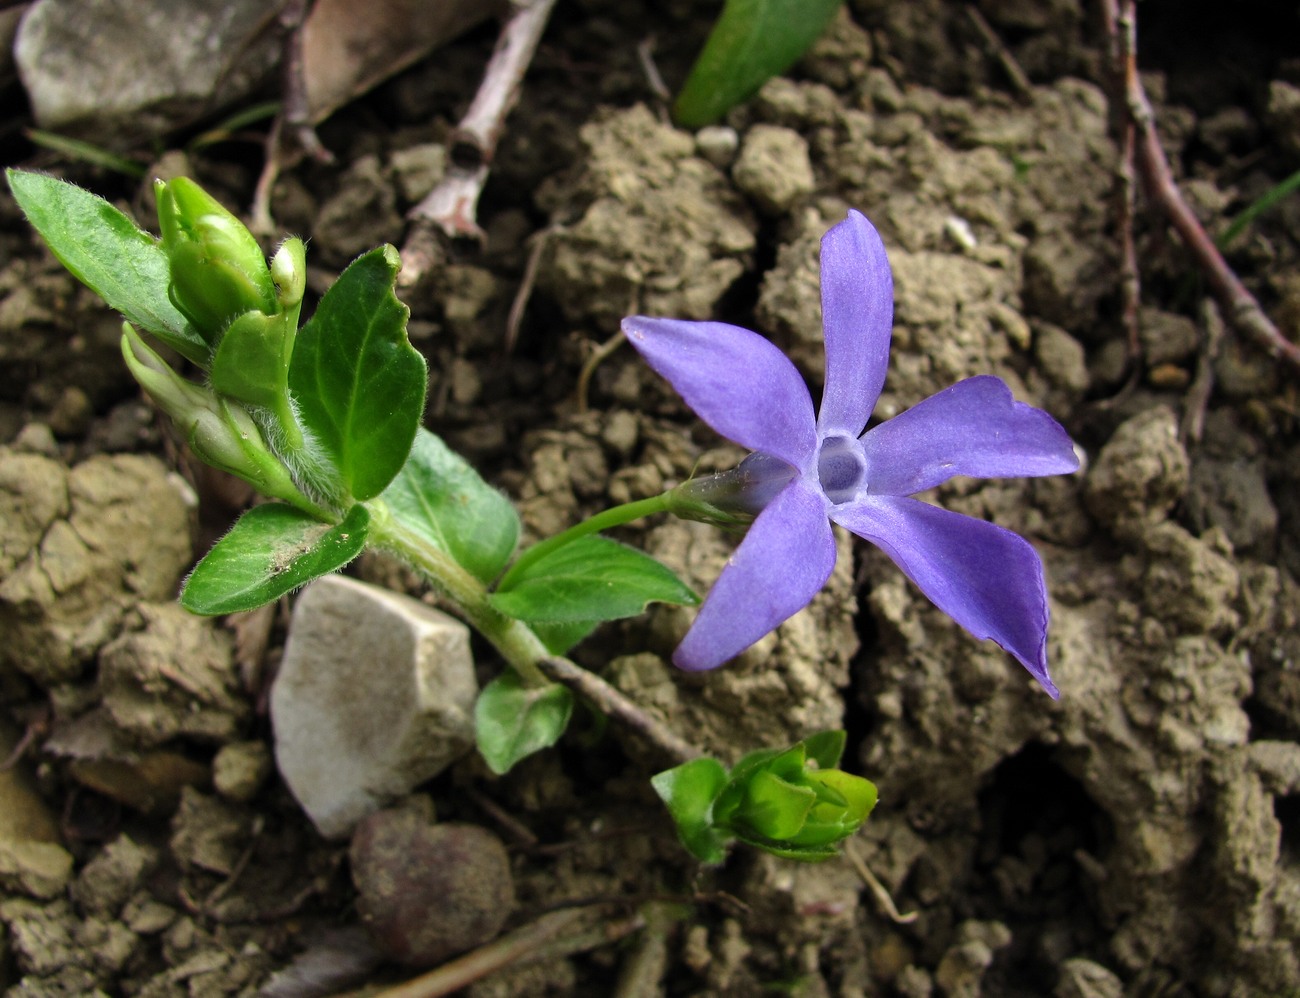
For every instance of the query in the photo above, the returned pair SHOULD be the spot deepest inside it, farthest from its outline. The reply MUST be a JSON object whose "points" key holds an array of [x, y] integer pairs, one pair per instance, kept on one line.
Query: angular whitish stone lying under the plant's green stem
{"points": [[375, 696]]}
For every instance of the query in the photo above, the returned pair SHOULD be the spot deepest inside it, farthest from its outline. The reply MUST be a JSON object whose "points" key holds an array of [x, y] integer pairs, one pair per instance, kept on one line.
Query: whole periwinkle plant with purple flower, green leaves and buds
{"points": [[324, 418]]}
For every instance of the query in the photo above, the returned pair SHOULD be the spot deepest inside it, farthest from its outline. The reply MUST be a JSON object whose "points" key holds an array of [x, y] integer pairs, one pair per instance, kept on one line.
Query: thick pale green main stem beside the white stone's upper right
{"points": [[513, 639]]}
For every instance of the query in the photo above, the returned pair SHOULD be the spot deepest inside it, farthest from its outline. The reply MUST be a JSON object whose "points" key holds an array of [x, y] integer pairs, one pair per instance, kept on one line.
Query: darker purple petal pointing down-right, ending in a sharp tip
{"points": [[981, 575]]}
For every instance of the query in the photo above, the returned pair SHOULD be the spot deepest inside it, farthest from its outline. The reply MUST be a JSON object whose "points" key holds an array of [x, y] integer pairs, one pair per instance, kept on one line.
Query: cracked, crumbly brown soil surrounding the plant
{"points": [[1141, 836]]}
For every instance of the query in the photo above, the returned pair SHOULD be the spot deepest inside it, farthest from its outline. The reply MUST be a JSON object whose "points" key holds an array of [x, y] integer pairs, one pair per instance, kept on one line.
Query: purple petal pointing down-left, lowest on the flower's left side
{"points": [[779, 567]]}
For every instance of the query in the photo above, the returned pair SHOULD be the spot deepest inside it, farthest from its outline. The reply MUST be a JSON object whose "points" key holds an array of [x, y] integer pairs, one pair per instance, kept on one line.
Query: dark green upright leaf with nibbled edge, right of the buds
{"points": [[358, 381]]}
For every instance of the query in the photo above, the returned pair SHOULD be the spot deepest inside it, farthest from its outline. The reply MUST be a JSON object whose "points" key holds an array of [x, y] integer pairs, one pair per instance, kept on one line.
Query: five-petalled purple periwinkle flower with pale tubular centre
{"points": [[811, 471]]}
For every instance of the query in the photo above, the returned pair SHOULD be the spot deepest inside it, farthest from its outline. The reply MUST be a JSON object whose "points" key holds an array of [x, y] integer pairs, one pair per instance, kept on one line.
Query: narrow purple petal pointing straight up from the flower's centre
{"points": [[857, 315]]}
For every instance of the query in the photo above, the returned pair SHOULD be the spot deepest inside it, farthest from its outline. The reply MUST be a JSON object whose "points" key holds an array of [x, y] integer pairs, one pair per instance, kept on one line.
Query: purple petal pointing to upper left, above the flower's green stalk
{"points": [[736, 381]]}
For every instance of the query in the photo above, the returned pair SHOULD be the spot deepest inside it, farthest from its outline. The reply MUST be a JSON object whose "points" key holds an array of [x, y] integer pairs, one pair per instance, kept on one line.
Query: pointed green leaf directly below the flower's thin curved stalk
{"points": [[592, 579]]}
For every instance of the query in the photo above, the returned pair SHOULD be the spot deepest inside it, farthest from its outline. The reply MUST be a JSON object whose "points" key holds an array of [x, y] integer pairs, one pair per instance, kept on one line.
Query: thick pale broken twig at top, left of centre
{"points": [[453, 205]]}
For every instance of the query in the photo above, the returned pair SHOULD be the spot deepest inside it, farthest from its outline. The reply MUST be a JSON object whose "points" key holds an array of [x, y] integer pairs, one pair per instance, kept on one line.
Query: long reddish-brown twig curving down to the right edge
{"points": [[1240, 306]]}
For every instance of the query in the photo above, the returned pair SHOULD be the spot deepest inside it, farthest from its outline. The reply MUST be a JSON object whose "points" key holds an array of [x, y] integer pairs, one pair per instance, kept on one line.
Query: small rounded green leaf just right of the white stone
{"points": [[514, 721]]}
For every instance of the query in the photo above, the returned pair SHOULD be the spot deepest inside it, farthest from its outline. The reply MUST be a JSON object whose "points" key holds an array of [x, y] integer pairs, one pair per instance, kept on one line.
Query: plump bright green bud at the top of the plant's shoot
{"points": [[219, 272]]}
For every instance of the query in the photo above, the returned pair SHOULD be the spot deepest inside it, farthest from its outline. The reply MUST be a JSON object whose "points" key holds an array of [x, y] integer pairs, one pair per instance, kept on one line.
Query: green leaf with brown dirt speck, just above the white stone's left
{"points": [[272, 550]]}
